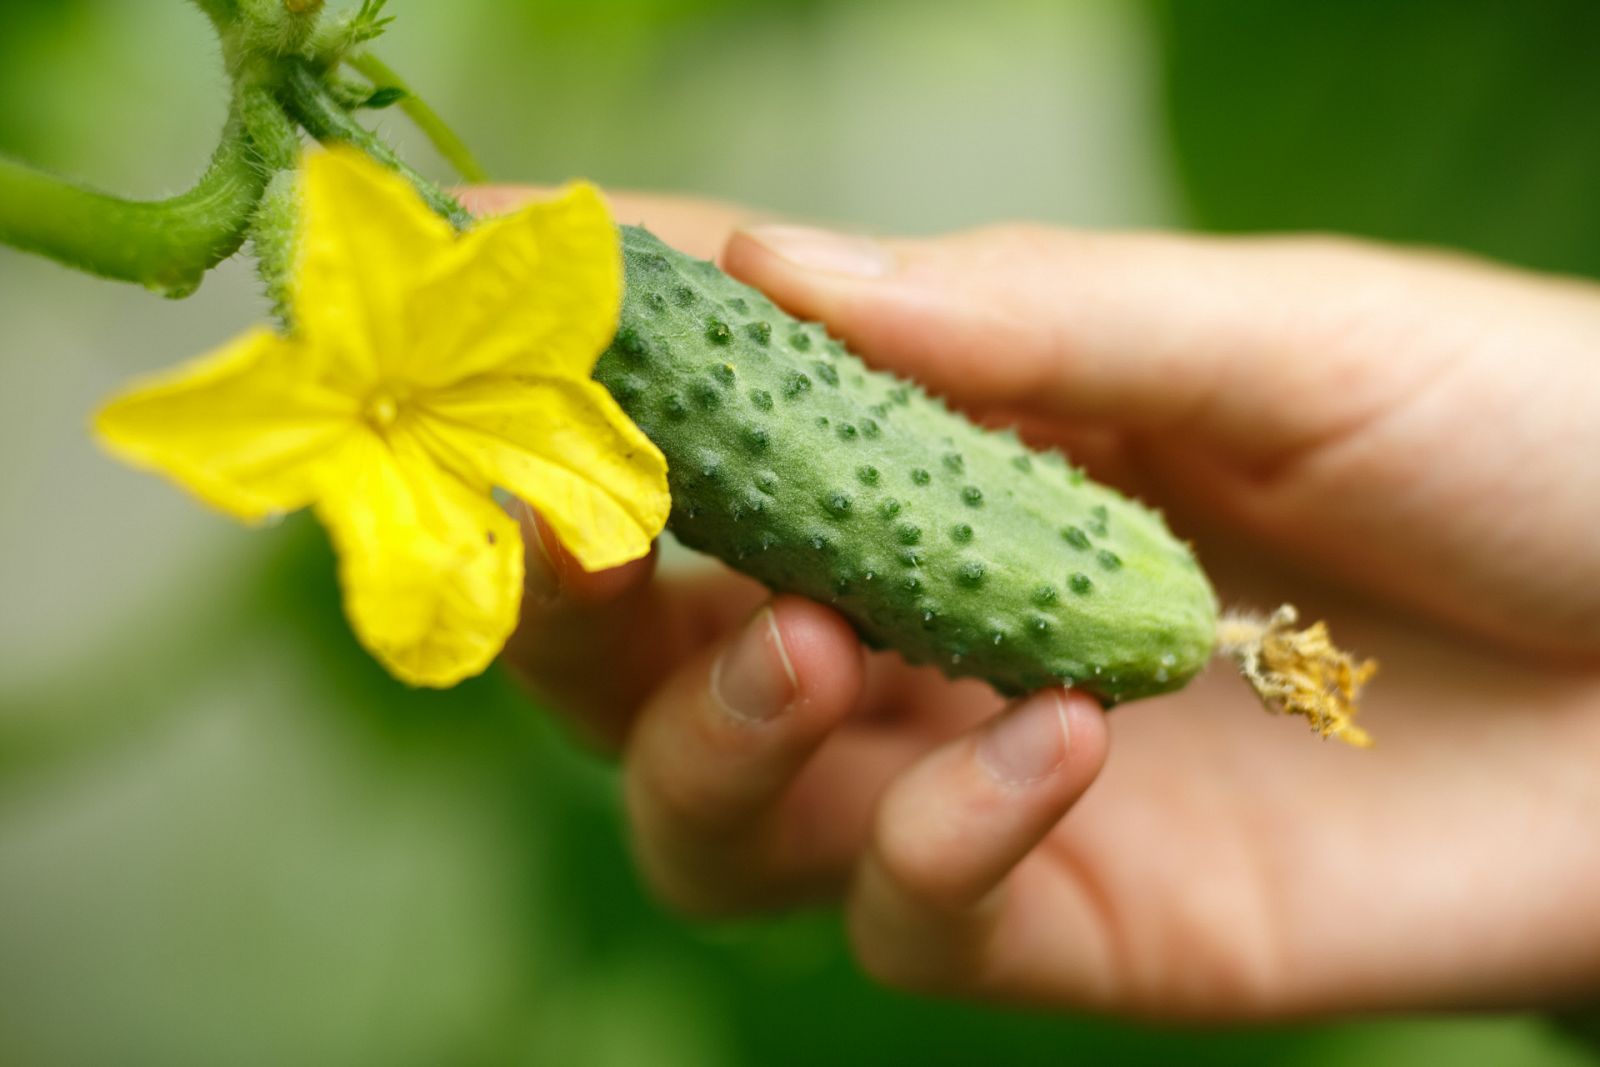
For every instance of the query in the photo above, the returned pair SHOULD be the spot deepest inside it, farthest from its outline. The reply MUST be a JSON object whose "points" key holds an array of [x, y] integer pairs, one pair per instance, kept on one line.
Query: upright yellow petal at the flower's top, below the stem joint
{"points": [[364, 246]]}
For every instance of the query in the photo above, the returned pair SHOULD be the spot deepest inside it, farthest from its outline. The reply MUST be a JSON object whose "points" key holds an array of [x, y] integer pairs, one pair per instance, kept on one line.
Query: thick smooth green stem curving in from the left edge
{"points": [[164, 246]]}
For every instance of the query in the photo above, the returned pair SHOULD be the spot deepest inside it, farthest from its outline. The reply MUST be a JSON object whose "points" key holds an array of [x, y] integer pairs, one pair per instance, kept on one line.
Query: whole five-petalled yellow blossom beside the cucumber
{"points": [[425, 370]]}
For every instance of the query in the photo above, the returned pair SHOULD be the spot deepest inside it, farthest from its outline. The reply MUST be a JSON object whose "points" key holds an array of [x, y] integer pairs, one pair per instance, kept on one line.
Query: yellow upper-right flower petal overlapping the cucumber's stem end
{"points": [[529, 294]]}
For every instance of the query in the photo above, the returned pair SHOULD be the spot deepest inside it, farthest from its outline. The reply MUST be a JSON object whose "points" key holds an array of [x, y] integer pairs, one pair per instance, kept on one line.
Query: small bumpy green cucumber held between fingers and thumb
{"points": [[958, 546]]}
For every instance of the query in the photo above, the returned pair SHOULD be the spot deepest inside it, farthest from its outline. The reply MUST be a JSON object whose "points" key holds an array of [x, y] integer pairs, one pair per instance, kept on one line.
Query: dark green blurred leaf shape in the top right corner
{"points": [[1471, 126]]}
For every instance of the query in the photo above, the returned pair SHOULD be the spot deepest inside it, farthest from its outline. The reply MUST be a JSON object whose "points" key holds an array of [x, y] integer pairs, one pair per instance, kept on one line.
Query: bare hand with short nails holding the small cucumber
{"points": [[1399, 442]]}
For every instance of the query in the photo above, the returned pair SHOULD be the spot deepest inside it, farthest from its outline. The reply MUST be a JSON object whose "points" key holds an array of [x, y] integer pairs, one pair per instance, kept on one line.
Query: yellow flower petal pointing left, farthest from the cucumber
{"points": [[241, 428]]}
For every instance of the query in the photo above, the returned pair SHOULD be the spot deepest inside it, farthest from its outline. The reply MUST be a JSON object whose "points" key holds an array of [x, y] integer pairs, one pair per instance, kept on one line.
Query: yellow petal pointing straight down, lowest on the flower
{"points": [[431, 567]]}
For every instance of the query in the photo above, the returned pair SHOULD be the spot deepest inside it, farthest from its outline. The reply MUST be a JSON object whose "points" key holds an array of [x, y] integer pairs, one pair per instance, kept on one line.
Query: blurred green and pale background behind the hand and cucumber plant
{"points": [[228, 839]]}
